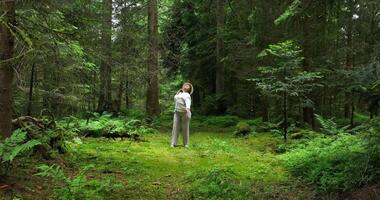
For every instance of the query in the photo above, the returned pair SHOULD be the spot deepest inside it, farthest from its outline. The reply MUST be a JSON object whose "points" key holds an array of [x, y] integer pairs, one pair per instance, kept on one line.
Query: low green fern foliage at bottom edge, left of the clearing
{"points": [[78, 187]]}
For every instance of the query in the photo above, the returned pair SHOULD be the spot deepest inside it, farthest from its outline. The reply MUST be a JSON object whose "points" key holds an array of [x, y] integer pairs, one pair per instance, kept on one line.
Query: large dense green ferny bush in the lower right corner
{"points": [[335, 164]]}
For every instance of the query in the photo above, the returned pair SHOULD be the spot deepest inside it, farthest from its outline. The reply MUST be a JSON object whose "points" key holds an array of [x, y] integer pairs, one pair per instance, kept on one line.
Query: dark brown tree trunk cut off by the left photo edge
{"points": [[6, 69]]}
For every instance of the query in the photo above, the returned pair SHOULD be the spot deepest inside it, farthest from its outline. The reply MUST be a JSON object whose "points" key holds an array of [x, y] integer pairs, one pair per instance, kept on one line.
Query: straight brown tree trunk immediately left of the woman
{"points": [[152, 103]]}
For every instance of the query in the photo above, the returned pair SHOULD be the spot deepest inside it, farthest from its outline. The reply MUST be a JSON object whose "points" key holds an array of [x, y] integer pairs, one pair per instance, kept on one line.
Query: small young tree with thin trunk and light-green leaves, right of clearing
{"points": [[285, 77]]}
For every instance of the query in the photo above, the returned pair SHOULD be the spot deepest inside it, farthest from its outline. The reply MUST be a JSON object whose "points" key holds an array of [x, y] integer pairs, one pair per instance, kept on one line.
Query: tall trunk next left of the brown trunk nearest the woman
{"points": [[105, 98]]}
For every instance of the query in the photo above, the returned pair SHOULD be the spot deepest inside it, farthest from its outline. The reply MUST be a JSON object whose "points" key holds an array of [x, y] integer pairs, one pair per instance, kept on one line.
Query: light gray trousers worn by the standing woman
{"points": [[181, 119]]}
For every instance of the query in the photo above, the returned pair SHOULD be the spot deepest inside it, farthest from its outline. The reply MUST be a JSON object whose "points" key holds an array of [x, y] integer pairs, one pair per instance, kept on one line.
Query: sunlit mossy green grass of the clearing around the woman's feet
{"points": [[153, 170]]}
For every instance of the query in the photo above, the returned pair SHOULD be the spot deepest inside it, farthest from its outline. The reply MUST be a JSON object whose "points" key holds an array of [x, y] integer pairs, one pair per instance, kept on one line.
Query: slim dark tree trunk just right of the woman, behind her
{"points": [[219, 72]]}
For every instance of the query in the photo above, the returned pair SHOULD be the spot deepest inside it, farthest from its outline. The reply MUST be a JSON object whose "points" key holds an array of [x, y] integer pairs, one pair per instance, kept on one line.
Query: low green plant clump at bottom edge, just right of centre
{"points": [[217, 183]]}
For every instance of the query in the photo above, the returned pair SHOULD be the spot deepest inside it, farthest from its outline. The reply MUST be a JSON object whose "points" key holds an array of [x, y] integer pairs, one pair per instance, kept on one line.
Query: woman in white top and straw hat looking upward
{"points": [[182, 114]]}
